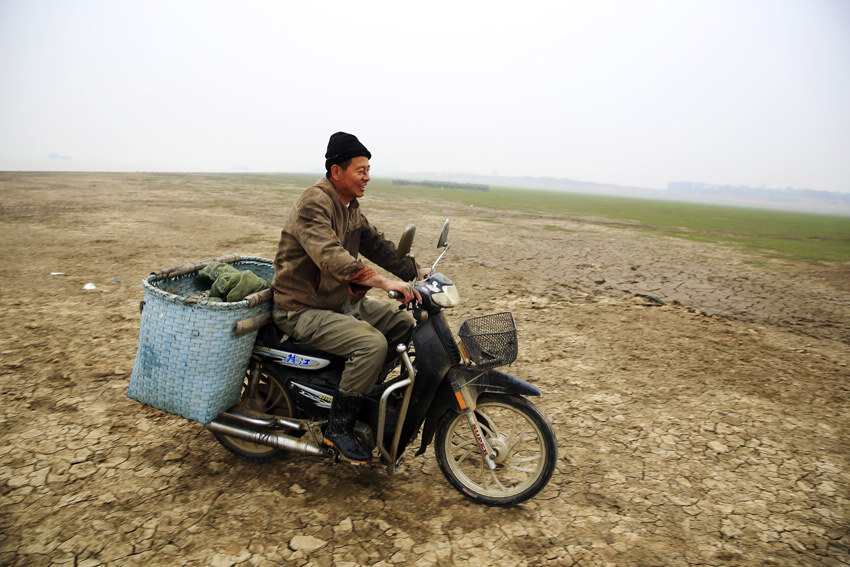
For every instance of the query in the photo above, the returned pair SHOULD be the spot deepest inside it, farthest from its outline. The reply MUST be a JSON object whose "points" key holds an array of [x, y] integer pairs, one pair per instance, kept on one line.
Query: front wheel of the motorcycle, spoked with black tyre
{"points": [[521, 438]]}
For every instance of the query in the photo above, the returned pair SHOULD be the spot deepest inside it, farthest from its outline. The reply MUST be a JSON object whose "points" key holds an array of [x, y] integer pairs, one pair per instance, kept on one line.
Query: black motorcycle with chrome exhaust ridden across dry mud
{"points": [[491, 443]]}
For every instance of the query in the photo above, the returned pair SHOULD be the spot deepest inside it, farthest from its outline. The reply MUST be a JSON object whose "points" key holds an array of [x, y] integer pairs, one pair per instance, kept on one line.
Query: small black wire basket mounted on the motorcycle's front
{"points": [[490, 340]]}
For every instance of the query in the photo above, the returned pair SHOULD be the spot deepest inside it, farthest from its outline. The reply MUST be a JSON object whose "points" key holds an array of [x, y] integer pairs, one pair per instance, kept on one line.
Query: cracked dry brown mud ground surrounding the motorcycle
{"points": [[712, 430]]}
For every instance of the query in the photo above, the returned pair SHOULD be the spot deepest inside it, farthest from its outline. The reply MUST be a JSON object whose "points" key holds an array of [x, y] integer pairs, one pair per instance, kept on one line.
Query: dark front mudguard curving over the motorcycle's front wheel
{"points": [[478, 382]]}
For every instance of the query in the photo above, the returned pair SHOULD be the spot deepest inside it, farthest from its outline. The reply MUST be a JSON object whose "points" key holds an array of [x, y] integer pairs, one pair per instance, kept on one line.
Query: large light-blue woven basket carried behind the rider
{"points": [[193, 353]]}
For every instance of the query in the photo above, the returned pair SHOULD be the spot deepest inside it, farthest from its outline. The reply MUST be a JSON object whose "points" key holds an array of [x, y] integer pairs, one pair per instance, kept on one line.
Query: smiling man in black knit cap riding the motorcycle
{"points": [[320, 284]]}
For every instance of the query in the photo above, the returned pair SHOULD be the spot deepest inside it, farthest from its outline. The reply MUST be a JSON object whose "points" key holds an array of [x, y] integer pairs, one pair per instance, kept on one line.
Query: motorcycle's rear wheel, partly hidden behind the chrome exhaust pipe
{"points": [[271, 398]]}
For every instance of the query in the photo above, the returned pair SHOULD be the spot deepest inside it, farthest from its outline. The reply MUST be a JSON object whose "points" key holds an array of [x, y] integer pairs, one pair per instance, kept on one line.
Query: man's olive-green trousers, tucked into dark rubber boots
{"points": [[361, 333]]}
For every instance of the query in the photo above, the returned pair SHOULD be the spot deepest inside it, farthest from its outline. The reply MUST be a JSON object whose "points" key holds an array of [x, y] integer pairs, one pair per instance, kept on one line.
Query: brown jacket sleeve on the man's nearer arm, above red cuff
{"points": [[316, 235]]}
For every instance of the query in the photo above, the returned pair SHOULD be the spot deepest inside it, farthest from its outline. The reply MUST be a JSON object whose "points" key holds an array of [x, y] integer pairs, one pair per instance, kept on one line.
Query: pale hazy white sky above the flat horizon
{"points": [[740, 92]]}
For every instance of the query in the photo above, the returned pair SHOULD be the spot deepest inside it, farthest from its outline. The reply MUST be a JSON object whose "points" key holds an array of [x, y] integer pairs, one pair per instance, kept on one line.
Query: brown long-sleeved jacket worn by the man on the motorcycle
{"points": [[318, 251]]}
